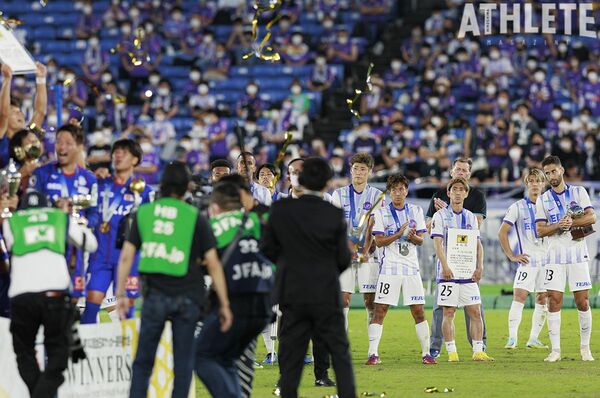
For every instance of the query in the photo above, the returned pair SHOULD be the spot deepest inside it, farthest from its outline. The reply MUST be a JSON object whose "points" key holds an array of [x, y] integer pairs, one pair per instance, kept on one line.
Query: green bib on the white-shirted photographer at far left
{"points": [[38, 229]]}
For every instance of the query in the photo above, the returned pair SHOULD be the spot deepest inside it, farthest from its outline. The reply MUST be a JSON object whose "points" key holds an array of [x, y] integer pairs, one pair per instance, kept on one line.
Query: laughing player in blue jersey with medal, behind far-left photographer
{"points": [[60, 180]]}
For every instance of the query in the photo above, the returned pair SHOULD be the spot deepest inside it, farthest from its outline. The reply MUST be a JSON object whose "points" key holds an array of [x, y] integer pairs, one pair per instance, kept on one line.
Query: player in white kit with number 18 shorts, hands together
{"points": [[398, 230]]}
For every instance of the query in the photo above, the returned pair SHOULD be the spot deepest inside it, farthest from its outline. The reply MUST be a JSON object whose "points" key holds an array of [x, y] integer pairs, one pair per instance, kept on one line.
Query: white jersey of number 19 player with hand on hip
{"points": [[521, 216]]}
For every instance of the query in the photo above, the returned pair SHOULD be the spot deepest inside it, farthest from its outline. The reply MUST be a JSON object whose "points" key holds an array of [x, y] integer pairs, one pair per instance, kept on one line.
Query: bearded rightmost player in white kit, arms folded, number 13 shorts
{"points": [[561, 209]]}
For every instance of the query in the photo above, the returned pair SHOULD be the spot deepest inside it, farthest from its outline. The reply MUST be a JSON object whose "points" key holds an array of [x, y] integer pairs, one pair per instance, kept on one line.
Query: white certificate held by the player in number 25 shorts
{"points": [[461, 252]]}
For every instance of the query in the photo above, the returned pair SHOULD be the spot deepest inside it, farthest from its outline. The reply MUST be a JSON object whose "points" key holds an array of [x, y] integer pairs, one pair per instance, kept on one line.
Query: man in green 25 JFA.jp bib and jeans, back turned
{"points": [[175, 241]]}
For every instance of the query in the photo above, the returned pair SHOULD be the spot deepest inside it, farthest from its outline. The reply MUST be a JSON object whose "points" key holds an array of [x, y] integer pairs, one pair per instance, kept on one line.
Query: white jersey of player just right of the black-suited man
{"points": [[347, 199]]}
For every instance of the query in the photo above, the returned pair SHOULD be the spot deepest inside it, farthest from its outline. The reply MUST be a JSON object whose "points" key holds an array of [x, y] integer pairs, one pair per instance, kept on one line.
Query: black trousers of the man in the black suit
{"points": [[325, 323]]}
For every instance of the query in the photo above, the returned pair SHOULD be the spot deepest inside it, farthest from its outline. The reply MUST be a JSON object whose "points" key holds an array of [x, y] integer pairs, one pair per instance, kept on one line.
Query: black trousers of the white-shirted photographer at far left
{"points": [[29, 312]]}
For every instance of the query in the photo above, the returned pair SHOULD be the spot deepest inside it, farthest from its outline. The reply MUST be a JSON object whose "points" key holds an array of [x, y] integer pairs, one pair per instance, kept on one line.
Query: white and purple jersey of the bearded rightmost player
{"points": [[550, 207]]}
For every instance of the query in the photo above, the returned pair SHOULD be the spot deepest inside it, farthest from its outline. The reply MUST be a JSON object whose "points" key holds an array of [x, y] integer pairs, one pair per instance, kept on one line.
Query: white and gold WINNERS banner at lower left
{"points": [[107, 371]]}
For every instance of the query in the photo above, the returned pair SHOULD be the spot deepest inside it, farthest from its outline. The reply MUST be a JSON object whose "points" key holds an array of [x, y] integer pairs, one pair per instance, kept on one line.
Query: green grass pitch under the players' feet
{"points": [[517, 373]]}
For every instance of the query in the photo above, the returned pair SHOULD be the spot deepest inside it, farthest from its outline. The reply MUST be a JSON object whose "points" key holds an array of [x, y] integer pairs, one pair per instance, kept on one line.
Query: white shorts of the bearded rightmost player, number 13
{"points": [[557, 275]]}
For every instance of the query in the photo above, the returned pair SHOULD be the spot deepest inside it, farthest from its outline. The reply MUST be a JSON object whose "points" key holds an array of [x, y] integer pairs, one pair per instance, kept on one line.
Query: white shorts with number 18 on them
{"points": [[389, 286]]}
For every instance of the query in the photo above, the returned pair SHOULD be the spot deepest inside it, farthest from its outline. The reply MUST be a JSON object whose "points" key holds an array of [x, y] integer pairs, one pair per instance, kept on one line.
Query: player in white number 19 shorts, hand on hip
{"points": [[530, 254]]}
